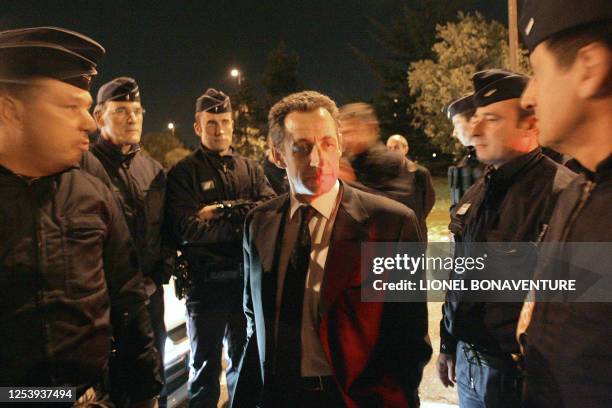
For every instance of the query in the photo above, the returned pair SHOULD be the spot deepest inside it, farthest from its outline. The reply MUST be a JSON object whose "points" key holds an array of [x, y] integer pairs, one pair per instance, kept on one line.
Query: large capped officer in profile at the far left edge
{"points": [[68, 272]]}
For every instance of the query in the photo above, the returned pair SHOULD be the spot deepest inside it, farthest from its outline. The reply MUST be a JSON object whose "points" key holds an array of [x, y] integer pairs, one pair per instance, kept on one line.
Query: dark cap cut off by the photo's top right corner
{"points": [[541, 19]]}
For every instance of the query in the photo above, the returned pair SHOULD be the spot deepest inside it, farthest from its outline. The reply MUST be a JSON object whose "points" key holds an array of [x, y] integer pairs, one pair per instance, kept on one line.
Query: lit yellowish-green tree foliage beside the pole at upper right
{"points": [[464, 47]]}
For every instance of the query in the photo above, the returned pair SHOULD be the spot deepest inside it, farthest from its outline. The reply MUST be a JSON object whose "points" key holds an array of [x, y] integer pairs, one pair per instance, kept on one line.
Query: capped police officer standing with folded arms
{"points": [[209, 194]]}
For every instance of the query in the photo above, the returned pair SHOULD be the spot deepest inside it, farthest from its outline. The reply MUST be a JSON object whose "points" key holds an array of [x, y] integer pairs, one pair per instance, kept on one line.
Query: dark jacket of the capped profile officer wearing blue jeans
{"points": [[510, 204]]}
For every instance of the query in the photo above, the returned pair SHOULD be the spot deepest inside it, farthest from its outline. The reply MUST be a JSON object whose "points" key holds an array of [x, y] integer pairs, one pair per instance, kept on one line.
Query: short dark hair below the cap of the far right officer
{"points": [[566, 44]]}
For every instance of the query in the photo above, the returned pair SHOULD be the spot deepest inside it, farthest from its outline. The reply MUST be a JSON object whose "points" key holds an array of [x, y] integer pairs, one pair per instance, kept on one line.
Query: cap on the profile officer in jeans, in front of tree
{"points": [[496, 85]]}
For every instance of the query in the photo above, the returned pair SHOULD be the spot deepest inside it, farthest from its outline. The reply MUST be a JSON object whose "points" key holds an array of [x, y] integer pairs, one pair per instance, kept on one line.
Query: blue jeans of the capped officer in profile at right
{"points": [[482, 386]]}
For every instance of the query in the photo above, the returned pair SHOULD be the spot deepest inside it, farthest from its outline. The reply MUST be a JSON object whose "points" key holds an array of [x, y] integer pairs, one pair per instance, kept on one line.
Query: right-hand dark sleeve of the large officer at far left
{"points": [[135, 361]]}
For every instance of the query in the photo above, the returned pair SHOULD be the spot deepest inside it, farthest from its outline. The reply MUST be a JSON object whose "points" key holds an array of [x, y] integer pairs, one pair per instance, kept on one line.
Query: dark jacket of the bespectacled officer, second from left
{"points": [[139, 183]]}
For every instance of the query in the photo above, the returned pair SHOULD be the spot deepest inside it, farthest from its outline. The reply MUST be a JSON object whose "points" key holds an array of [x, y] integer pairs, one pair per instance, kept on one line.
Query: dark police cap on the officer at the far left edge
{"points": [[50, 52]]}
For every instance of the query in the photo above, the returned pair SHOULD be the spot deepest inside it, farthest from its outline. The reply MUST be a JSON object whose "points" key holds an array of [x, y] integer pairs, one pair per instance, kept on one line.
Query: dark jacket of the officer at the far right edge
{"points": [[568, 355]]}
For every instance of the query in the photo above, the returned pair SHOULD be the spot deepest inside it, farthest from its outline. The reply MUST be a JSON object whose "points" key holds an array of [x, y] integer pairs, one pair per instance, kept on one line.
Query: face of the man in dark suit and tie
{"points": [[310, 153]]}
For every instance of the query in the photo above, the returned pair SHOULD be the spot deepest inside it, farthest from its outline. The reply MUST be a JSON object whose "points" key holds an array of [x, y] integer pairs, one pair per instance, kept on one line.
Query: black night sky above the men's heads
{"points": [[177, 49]]}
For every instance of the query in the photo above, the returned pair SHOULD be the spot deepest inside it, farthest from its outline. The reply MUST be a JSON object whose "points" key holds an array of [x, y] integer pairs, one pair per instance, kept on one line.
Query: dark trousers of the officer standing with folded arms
{"points": [[214, 314]]}
